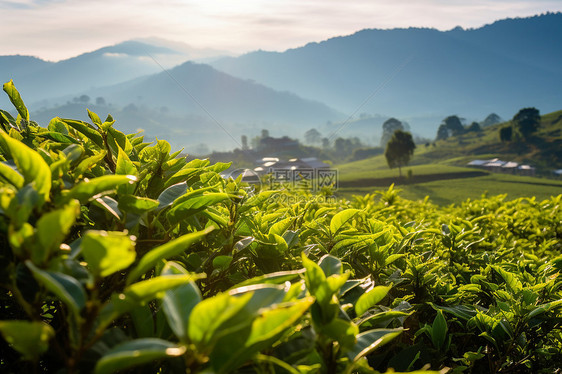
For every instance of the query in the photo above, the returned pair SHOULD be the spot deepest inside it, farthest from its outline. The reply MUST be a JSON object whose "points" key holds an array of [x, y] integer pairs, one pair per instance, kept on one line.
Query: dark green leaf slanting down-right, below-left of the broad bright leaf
{"points": [[65, 287]]}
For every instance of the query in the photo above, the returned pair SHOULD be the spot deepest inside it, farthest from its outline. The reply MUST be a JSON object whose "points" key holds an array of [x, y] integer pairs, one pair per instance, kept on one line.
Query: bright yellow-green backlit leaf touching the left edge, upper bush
{"points": [[30, 164]]}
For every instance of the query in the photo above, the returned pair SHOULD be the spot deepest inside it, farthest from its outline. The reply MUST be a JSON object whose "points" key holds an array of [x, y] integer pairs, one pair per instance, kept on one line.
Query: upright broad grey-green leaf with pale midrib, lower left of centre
{"points": [[179, 302]]}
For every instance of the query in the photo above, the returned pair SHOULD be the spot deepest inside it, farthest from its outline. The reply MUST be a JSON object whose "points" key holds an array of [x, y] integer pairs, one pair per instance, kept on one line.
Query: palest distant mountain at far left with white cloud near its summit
{"points": [[41, 81]]}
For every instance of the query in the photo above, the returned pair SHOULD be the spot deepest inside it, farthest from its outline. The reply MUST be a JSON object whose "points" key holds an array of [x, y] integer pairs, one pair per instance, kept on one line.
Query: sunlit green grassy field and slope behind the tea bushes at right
{"points": [[438, 169]]}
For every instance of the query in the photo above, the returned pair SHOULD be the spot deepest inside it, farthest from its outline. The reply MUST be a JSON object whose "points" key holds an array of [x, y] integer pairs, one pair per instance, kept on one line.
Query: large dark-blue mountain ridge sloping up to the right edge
{"points": [[422, 75]]}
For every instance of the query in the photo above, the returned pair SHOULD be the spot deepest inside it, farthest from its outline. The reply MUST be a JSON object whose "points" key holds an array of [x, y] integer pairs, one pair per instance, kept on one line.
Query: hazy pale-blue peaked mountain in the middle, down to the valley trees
{"points": [[195, 103]]}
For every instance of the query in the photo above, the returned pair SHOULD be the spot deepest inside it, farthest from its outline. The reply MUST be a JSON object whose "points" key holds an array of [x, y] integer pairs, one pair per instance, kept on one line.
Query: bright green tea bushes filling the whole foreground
{"points": [[117, 255]]}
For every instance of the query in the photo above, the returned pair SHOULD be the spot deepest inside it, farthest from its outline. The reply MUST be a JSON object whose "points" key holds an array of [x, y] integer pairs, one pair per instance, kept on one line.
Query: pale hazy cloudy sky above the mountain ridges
{"points": [[58, 29]]}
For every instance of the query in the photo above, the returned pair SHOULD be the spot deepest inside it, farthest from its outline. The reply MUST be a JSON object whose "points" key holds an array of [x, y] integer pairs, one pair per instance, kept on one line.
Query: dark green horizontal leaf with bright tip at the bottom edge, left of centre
{"points": [[136, 352]]}
